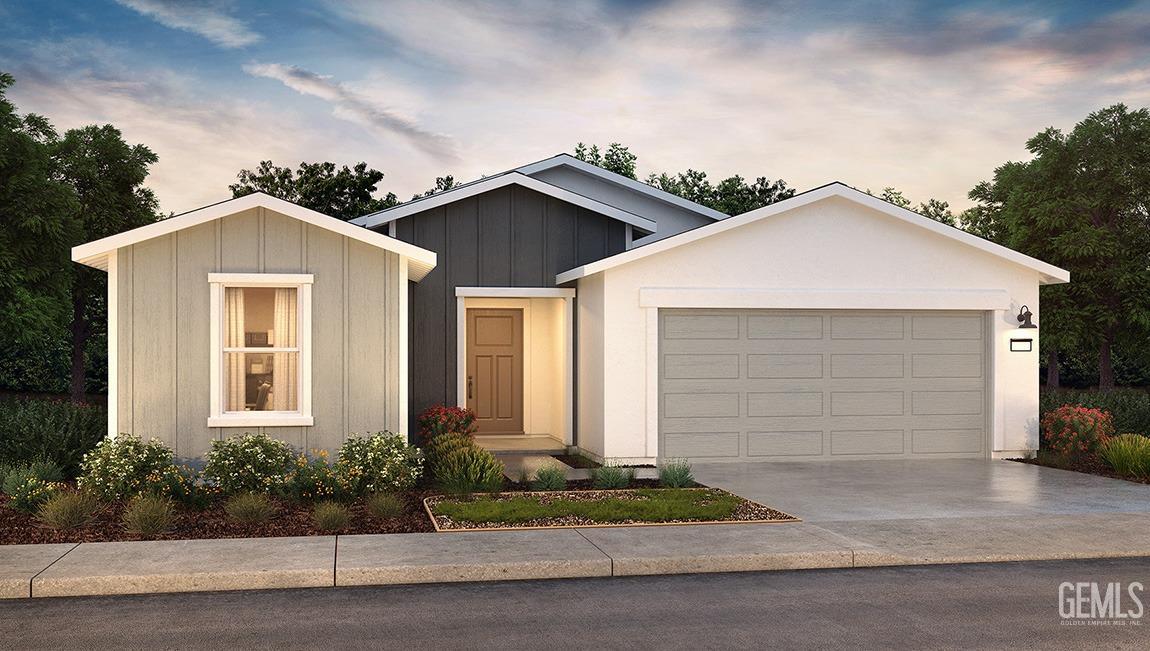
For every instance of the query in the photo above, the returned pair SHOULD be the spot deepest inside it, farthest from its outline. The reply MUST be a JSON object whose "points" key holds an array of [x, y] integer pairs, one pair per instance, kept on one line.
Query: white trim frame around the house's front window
{"points": [[301, 418]]}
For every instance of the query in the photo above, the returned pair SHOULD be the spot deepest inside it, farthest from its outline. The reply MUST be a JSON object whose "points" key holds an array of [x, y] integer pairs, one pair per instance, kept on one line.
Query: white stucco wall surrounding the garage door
{"points": [[831, 255]]}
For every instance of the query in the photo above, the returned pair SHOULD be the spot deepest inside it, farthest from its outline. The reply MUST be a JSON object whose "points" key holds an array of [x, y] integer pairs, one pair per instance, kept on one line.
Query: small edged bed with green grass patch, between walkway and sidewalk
{"points": [[597, 508]]}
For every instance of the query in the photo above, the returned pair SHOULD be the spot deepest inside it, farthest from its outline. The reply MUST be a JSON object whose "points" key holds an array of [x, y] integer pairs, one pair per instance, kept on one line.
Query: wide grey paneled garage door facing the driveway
{"points": [[761, 385]]}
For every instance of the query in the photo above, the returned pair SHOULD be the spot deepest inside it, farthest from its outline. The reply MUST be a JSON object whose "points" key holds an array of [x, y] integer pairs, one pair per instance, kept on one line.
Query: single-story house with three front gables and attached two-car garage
{"points": [[572, 308]]}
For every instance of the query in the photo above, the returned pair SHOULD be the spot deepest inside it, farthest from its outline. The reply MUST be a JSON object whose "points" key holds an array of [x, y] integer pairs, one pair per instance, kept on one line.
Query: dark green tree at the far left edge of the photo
{"points": [[36, 233]]}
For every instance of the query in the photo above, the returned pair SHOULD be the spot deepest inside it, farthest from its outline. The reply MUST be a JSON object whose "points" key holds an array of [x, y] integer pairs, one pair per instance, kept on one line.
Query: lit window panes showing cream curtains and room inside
{"points": [[262, 349]]}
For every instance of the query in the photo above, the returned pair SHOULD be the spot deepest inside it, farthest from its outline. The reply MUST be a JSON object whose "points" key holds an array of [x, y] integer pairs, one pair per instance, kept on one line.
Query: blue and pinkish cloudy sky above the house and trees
{"points": [[924, 97]]}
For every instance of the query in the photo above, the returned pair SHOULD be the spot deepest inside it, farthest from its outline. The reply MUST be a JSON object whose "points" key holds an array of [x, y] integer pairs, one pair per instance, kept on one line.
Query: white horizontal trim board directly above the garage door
{"points": [[824, 298]]}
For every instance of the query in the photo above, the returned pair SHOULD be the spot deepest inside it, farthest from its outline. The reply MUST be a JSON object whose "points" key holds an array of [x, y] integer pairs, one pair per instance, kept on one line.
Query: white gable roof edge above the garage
{"points": [[1049, 273]]}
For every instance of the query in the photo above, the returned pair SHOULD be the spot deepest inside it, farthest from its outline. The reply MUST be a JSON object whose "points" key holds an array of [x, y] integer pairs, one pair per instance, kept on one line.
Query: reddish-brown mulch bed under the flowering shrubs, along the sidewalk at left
{"points": [[293, 519]]}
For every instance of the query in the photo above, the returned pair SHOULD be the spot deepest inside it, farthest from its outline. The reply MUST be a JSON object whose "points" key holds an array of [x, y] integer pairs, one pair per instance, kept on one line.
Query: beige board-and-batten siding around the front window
{"points": [[165, 350]]}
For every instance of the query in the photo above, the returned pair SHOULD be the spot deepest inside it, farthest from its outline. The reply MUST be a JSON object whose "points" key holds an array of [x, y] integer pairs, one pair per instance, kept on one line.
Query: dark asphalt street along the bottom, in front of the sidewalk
{"points": [[987, 607]]}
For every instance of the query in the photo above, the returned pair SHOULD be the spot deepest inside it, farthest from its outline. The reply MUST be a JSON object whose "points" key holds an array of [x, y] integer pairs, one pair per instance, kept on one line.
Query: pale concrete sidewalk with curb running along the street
{"points": [[182, 566]]}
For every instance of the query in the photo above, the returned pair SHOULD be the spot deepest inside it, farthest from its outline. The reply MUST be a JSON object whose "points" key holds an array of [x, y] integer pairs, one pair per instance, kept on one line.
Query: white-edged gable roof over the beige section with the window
{"points": [[420, 262]]}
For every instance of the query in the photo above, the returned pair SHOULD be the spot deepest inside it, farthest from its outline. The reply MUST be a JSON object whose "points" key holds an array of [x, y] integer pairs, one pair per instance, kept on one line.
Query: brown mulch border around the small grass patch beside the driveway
{"points": [[747, 511]]}
